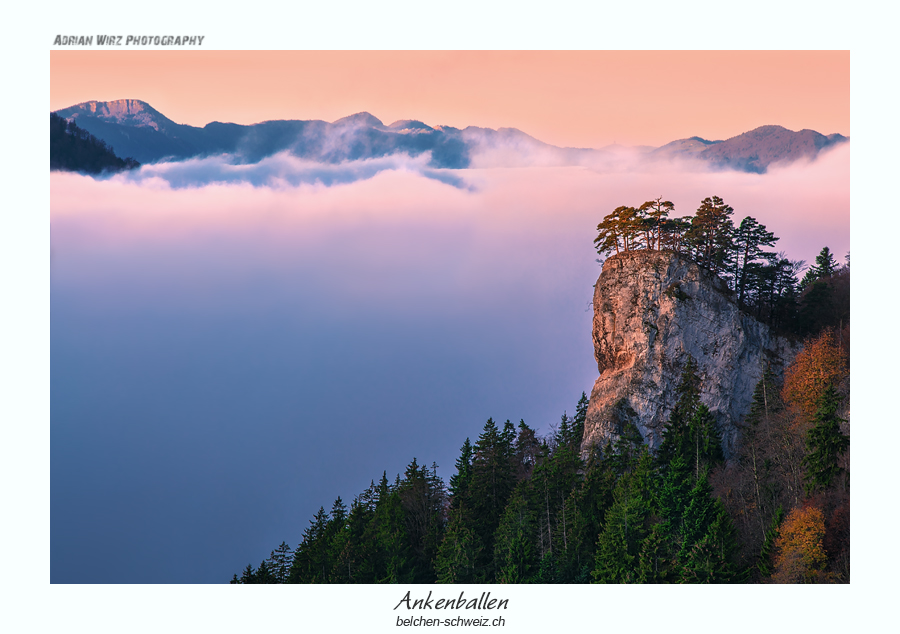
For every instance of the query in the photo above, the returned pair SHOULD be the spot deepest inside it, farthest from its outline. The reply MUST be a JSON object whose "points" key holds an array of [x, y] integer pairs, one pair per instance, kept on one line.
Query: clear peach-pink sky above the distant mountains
{"points": [[566, 98]]}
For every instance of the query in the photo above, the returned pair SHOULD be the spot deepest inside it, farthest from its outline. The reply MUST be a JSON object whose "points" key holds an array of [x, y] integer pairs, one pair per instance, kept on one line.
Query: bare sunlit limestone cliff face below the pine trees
{"points": [[651, 310]]}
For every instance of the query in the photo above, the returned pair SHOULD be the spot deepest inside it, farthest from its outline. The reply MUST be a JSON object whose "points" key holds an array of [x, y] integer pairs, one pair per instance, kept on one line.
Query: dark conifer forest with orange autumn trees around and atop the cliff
{"points": [[527, 508]]}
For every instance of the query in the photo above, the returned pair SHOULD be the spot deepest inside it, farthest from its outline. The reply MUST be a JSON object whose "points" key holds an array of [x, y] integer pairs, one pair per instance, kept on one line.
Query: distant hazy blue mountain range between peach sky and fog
{"points": [[137, 129]]}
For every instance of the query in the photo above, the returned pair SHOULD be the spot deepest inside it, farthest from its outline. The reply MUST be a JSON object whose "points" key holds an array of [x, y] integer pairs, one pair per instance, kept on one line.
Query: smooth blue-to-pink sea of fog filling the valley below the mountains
{"points": [[230, 354]]}
